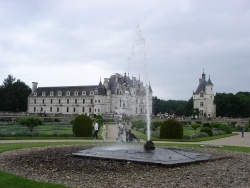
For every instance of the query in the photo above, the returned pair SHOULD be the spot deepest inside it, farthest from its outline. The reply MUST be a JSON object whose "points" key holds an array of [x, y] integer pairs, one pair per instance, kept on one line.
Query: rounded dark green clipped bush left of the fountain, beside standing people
{"points": [[82, 126]]}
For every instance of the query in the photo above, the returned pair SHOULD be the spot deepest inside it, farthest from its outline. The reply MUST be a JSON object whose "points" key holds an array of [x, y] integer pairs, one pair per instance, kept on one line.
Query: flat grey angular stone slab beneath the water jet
{"points": [[135, 153]]}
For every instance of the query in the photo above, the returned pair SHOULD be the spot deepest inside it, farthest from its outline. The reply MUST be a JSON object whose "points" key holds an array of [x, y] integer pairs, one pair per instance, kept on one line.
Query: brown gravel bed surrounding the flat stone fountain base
{"points": [[57, 165]]}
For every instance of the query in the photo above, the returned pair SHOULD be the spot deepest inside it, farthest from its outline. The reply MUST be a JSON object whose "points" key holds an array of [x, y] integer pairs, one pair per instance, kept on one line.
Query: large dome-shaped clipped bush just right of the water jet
{"points": [[171, 129]]}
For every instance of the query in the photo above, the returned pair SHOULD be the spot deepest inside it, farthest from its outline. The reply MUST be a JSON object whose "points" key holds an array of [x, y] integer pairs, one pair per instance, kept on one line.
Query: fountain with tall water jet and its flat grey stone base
{"points": [[149, 153]]}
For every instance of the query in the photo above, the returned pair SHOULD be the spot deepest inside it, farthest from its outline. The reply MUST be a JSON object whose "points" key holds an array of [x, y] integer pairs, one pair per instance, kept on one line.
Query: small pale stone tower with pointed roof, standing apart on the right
{"points": [[203, 98]]}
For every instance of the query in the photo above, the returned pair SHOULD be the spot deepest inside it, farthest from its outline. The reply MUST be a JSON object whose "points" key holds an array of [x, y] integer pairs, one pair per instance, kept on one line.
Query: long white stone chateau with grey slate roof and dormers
{"points": [[116, 95]]}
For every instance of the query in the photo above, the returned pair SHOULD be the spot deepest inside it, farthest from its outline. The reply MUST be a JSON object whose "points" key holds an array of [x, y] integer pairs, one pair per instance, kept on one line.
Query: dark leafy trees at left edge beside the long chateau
{"points": [[14, 95]]}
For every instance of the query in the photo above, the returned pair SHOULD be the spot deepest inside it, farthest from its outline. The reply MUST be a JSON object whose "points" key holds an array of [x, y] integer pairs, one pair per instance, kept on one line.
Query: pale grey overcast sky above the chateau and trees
{"points": [[79, 42]]}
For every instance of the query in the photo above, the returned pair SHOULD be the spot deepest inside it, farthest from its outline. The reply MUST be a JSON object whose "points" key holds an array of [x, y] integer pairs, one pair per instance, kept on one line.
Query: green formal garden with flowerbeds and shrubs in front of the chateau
{"points": [[50, 127]]}
